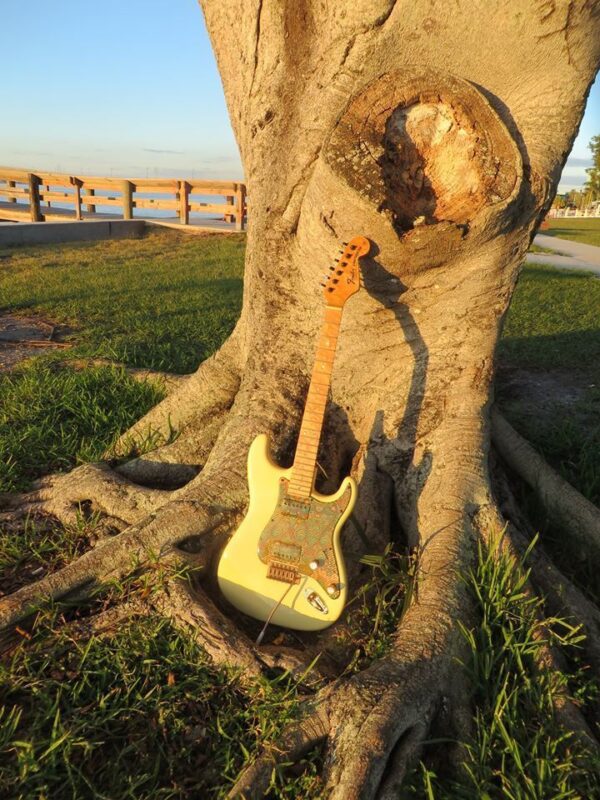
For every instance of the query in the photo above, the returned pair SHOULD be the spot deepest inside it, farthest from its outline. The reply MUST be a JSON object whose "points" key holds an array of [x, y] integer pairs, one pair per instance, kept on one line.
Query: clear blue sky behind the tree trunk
{"points": [[131, 88]]}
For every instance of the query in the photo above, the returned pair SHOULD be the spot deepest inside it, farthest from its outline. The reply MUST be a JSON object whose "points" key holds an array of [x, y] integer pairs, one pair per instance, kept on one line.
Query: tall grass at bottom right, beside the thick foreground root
{"points": [[518, 750]]}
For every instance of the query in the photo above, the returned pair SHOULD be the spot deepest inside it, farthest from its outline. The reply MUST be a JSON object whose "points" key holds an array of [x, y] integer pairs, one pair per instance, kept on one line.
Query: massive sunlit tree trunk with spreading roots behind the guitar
{"points": [[440, 135]]}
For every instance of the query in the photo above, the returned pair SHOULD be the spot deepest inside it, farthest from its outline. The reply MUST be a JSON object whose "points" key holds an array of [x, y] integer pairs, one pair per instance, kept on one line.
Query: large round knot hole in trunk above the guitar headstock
{"points": [[425, 148]]}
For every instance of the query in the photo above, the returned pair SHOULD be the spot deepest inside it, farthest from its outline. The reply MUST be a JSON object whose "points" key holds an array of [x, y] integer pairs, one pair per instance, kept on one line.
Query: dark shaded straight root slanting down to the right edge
{"points": [[579, 518]]}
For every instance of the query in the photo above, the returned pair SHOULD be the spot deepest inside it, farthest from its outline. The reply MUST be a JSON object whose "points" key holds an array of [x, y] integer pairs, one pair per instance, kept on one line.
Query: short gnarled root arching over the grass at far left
{"points": [[61, 496]]}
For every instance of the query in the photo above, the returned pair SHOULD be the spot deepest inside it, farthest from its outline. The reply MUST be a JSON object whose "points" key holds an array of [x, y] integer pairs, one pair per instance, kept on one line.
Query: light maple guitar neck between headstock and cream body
{"points": [[305, 462]]}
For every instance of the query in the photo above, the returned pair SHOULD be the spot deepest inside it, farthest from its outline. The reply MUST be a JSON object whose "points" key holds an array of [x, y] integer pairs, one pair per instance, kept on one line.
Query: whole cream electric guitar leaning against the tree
{"points": [[284, 563]]}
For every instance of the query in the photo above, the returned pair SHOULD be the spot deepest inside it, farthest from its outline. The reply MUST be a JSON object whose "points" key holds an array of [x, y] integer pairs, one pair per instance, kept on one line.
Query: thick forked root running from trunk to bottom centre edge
{"points": [[375, 722]]}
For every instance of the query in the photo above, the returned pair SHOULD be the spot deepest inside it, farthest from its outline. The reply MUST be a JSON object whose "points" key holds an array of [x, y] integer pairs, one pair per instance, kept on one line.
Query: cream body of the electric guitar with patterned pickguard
{"points": [[244, 577]]}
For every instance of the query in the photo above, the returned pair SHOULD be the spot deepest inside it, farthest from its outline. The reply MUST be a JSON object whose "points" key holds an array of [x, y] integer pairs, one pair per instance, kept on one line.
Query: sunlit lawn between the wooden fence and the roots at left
{"points": [[165, 302]]}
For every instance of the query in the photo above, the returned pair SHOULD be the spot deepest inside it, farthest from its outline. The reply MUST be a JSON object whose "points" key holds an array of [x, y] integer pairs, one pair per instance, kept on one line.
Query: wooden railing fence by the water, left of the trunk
{"points": [[49, 195]]}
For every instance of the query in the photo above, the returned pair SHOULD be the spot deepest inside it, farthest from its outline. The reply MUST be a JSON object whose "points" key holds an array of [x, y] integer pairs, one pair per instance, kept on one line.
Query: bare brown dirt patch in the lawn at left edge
{"points": [[24, 337]]}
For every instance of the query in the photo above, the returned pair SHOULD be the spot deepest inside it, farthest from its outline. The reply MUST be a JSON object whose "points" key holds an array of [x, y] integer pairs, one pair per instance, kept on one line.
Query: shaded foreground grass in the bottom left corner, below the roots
{"points": [[141, 714]]}
